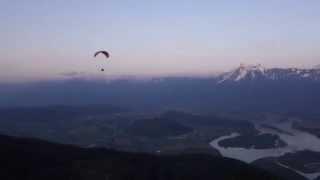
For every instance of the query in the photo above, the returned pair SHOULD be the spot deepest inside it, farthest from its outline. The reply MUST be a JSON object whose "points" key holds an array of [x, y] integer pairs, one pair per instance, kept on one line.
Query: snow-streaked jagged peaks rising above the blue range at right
{"points": [[258, 72]]}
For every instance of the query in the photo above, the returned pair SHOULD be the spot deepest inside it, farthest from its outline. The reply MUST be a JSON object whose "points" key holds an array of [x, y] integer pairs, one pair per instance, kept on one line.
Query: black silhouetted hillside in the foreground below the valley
{"points": [[36, 159]]}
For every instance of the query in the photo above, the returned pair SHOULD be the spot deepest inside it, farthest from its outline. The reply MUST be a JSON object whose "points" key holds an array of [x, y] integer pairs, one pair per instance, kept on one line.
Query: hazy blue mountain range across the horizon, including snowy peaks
{"points": [[247, 88]]}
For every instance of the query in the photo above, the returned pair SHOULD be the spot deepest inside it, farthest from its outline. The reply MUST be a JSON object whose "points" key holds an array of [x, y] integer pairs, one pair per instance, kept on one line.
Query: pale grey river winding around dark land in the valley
{"points": [[296, 140]]}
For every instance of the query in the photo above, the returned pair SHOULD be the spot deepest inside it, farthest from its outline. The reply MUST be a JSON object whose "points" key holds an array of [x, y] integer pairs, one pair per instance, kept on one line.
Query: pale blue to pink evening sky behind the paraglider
{"points": [[43, 39]]}
